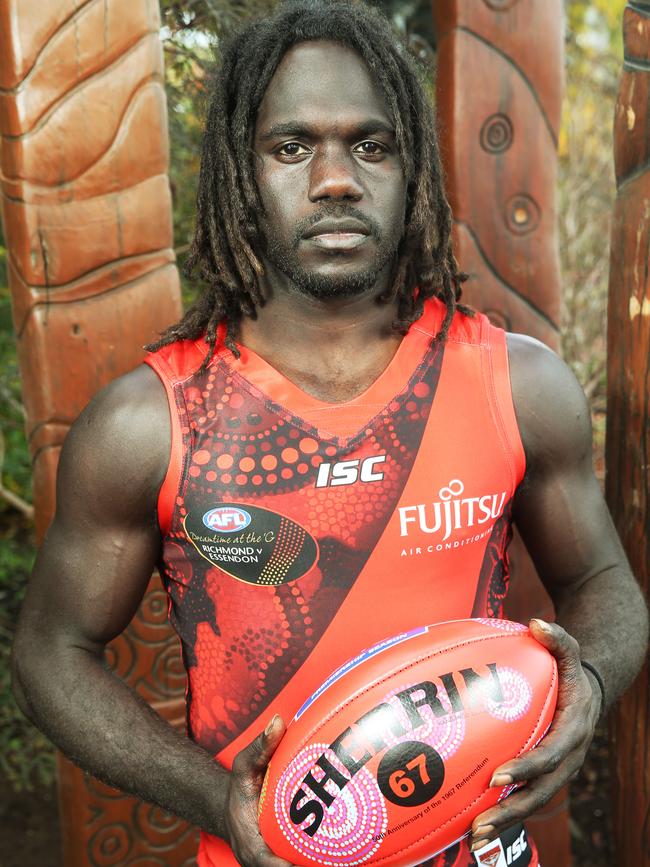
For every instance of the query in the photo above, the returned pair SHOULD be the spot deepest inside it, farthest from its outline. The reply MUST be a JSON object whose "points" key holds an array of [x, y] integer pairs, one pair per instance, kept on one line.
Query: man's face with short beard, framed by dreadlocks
{"points": [[329, 173]]}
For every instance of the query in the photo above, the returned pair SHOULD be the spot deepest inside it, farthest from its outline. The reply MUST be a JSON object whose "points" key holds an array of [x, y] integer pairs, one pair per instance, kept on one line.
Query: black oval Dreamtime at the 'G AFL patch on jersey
{"points": [[252, 544]]}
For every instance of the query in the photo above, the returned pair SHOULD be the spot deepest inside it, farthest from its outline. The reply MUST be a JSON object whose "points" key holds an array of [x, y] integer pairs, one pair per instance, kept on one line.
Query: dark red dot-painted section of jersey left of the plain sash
{"points": [[243, 642]]}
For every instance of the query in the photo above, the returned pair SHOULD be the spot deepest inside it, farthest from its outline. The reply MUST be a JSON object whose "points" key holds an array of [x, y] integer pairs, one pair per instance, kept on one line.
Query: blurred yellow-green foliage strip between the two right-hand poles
{"points": [[586, 185]]}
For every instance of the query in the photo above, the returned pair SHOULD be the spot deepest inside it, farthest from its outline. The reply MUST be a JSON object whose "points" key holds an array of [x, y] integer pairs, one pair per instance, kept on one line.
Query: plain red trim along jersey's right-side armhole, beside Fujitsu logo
{"points": [[503, 401]]}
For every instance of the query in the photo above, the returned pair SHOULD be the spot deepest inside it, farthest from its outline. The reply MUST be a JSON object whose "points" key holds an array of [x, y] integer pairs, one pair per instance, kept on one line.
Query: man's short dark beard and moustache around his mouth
{"points": [[283, 255]]}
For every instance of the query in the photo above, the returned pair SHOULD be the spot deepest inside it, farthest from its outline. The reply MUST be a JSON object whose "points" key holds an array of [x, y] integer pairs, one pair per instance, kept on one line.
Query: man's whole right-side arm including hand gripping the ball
{"points": [[601, 614]]}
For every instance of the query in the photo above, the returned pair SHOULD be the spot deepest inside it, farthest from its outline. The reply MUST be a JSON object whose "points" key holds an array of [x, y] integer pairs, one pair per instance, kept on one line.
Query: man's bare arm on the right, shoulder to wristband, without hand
{"points": [[565, 523]]}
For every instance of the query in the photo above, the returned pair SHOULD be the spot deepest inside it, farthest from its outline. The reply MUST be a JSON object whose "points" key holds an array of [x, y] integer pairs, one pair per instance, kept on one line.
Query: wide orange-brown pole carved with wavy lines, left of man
{"points": [[86, 208]]}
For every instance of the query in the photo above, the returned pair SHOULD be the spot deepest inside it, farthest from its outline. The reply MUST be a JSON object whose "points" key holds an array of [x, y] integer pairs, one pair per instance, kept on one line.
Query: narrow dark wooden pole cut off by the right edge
{"points": [[628, 416]]}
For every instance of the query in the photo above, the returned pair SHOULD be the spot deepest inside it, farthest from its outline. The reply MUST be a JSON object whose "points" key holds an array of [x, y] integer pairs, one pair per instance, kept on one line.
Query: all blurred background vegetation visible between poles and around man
{"points": [[586, 191]]}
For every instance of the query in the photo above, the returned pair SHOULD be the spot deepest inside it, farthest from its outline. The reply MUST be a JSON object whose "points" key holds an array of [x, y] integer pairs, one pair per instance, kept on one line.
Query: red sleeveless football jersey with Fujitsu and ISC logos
{"points": [[298, 532]]}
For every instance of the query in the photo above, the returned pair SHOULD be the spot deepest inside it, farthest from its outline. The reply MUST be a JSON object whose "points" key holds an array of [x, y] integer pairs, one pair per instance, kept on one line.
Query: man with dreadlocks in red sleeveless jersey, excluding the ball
{"points": [[325, 451]]}
